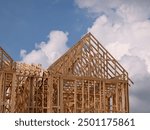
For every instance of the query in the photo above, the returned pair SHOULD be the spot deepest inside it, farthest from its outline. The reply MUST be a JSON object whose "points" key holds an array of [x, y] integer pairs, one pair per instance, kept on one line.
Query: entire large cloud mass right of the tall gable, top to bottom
{"points": [[123, 27]]}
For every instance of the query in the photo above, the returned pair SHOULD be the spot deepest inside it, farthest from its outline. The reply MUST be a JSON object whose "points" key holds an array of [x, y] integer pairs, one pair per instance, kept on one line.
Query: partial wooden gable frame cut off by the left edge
{"points": [[7, 66]]}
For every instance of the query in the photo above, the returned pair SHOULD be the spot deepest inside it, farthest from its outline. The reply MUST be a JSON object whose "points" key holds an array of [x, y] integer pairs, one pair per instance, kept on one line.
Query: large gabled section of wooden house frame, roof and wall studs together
{"points": [[87, 78]]}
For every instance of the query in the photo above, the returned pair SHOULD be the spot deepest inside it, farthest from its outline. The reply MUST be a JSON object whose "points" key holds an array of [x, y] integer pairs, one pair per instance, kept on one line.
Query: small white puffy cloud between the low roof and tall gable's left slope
{"points": [[46, 53]]}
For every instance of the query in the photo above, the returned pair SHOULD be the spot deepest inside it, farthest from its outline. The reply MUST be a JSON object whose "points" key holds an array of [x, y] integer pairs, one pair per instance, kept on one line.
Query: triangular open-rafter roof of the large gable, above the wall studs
{"points": [[89, 58]]}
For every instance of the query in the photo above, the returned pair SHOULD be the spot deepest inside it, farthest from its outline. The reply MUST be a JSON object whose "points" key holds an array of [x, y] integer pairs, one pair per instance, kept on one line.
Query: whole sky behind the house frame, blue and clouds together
{"points": [[40, 31]]}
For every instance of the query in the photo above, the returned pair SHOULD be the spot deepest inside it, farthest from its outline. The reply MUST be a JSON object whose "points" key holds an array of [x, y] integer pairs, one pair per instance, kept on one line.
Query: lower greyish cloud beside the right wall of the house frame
{"points": [[139, 93]]}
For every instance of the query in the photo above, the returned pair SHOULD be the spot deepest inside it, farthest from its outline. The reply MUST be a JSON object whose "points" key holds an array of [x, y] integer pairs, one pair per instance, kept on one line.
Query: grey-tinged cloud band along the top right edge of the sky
{"points": [[139, 9]]}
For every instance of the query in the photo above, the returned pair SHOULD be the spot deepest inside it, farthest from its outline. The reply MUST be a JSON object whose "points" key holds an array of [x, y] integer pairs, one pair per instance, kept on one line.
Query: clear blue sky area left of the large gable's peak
{"points": [[26, 22]]}
